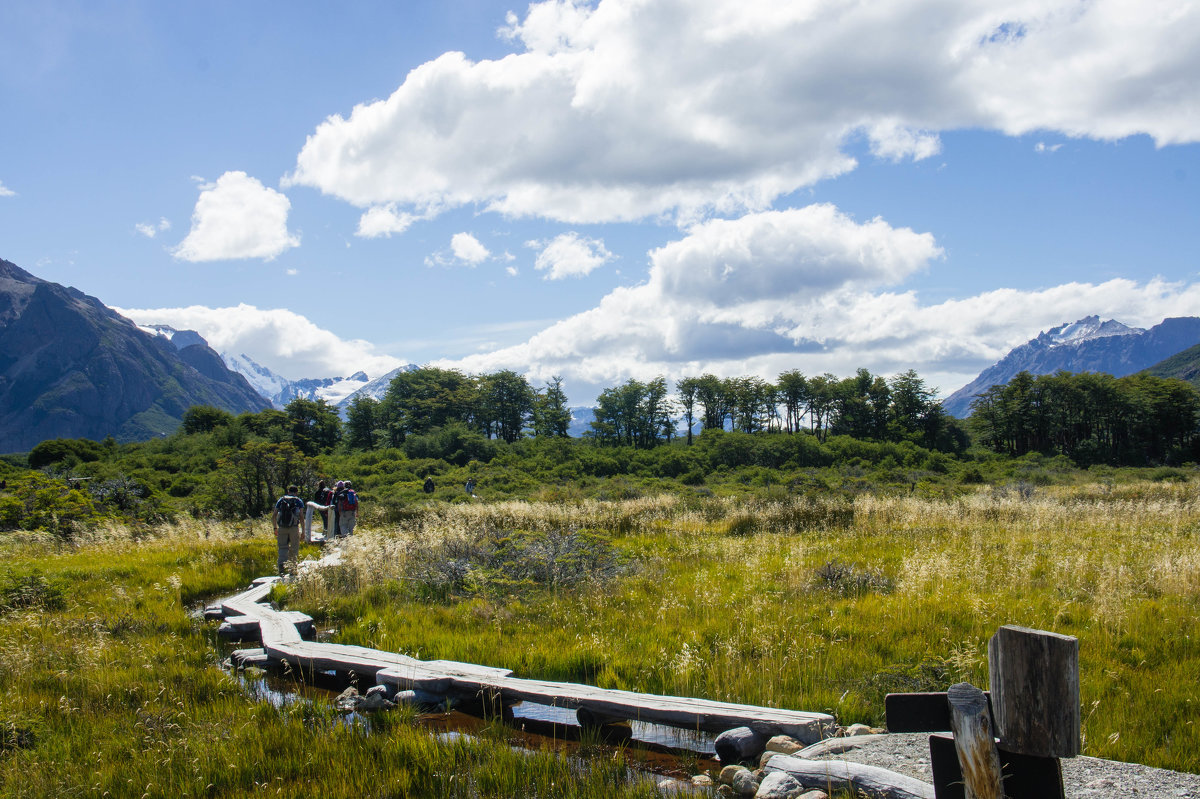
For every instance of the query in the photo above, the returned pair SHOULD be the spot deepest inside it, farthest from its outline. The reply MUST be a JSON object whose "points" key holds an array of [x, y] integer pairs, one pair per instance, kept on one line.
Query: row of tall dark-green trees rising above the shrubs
{"points": [[1089, 418]]}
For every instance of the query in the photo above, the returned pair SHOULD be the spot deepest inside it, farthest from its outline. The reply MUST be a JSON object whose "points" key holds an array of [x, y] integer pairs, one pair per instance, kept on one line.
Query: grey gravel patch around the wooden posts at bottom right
{"points": [[1084, 778]]}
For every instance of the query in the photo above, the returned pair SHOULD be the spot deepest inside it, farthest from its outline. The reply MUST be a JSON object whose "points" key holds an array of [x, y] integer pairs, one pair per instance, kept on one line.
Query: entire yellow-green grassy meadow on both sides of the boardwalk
{"points": [[811, 603]]}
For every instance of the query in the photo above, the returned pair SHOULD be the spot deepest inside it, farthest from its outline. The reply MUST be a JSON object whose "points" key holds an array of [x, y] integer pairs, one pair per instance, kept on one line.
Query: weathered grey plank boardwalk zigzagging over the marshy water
{"points": [[284, 644]]}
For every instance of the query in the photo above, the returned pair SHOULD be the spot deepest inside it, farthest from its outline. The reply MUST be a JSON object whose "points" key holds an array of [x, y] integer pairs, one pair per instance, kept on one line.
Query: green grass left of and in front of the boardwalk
{"points": [[111, 688]]}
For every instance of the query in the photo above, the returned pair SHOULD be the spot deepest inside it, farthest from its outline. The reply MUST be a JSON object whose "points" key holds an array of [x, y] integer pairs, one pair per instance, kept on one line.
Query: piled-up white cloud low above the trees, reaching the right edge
{"points": [[808, 290]]}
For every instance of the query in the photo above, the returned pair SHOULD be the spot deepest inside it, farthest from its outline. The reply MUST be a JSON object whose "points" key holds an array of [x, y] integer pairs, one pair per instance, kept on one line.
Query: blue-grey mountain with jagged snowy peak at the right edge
{"points": [[1085, 346]]}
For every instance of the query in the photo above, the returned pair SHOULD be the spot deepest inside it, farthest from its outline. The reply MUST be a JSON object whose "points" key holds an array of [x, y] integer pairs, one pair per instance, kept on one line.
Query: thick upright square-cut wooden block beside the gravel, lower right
{"points": [[1035, 692]]}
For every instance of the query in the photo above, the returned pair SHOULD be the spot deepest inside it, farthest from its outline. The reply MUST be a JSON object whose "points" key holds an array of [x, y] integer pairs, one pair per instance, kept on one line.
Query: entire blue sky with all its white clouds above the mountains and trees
{"points": [[609, 190]]}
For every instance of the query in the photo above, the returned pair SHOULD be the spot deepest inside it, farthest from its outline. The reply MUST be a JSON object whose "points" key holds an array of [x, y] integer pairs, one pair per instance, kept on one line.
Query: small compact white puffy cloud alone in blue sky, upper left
{"points": [[238, 218]]}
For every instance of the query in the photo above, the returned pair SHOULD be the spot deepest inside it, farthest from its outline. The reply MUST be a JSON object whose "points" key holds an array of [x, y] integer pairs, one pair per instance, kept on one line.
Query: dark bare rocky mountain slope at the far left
{"points": [[73, 368]]}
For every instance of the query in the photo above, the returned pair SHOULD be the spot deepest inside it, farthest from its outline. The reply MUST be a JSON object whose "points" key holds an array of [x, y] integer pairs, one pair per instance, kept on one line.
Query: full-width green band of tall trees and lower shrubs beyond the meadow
{"points": [[725, 434]]}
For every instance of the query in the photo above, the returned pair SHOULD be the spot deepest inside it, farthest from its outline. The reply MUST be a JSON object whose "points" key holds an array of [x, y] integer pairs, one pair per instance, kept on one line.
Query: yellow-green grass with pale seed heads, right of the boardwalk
{"points": [[812, 605]]}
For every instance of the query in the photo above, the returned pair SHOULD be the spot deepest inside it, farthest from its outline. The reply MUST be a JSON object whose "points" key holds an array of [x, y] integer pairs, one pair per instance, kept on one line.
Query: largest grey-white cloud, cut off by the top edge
{"points": [[628, 110]]}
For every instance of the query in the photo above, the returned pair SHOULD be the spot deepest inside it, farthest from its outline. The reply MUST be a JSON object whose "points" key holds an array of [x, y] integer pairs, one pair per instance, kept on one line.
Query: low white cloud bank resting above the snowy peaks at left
{"points": [[285, 343]]}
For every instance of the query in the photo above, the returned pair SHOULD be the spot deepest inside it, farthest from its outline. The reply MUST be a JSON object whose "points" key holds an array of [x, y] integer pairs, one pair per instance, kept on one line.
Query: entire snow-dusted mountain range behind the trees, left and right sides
{"points": [[71, 368]]}
